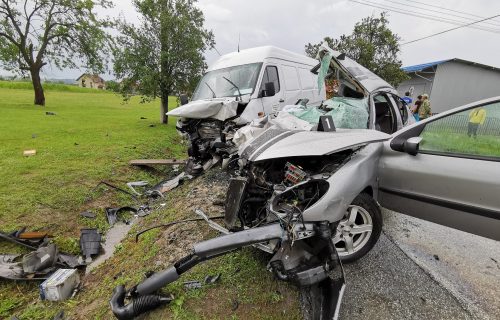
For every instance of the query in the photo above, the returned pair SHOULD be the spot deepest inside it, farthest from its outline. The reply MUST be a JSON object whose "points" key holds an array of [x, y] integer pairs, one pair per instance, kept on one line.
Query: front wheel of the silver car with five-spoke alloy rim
{"points": [[359, 230]]}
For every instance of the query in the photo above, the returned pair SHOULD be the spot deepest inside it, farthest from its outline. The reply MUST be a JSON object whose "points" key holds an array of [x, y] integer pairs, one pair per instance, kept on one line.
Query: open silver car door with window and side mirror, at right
{"points": [[446, 169]]}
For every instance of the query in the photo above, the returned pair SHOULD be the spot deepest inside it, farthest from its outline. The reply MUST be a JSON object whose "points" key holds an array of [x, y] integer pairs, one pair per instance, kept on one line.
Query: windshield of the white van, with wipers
{"points": [[213, 84]]}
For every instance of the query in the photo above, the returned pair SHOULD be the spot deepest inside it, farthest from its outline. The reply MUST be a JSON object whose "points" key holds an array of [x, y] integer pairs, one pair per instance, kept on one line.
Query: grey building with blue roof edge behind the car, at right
{"points": [[451, 83]]}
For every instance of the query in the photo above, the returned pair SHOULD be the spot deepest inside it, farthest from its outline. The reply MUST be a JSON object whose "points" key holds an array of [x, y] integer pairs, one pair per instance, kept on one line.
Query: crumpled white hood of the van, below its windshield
{"points": [[220, 109]]}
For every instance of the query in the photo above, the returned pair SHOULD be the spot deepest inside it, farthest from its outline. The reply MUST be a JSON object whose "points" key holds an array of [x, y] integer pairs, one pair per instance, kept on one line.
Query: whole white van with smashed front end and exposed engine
{"points": [[238, 88]]}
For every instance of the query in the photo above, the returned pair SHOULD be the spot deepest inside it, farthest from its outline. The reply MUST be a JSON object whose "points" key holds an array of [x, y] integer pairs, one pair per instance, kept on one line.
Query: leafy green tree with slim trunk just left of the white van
{"points": [[163, 55]]}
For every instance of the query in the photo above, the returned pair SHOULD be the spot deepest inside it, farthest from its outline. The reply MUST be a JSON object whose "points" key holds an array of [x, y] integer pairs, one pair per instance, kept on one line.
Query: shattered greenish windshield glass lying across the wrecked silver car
{"points": [[347, 113]]}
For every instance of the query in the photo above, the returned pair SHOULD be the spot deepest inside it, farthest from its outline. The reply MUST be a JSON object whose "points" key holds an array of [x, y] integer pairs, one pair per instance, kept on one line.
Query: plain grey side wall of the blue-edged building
{"points": [[456, 84]]}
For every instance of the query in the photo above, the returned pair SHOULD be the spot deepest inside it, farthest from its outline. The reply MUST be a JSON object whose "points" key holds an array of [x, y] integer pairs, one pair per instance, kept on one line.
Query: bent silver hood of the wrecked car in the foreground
{"points": [[278, 143]]}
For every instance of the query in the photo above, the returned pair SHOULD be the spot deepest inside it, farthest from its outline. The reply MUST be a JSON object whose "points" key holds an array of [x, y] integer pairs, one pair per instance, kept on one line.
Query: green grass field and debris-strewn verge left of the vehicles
{"points": [[91, 138]]}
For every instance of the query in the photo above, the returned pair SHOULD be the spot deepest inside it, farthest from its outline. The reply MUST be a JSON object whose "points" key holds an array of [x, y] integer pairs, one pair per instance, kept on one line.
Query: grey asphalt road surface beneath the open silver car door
{"points": [[420, 270]]}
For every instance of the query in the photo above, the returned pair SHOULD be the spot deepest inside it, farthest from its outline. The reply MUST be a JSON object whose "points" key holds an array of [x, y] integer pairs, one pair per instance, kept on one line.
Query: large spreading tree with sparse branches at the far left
{"points": [[62, 33]]}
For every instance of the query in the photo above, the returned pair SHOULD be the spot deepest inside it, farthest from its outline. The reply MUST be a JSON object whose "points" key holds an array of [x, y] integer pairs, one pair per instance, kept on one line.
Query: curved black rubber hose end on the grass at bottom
{"points": [[136, 307]]}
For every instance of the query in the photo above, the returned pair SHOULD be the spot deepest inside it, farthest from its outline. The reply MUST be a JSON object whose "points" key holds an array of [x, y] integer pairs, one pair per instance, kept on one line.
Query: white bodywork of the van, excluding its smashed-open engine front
{"points": [[264, 79]]}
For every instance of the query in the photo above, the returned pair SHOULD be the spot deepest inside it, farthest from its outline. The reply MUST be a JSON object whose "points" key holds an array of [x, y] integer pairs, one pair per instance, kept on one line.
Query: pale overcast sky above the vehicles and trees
{"points": [[291, 24]]}
